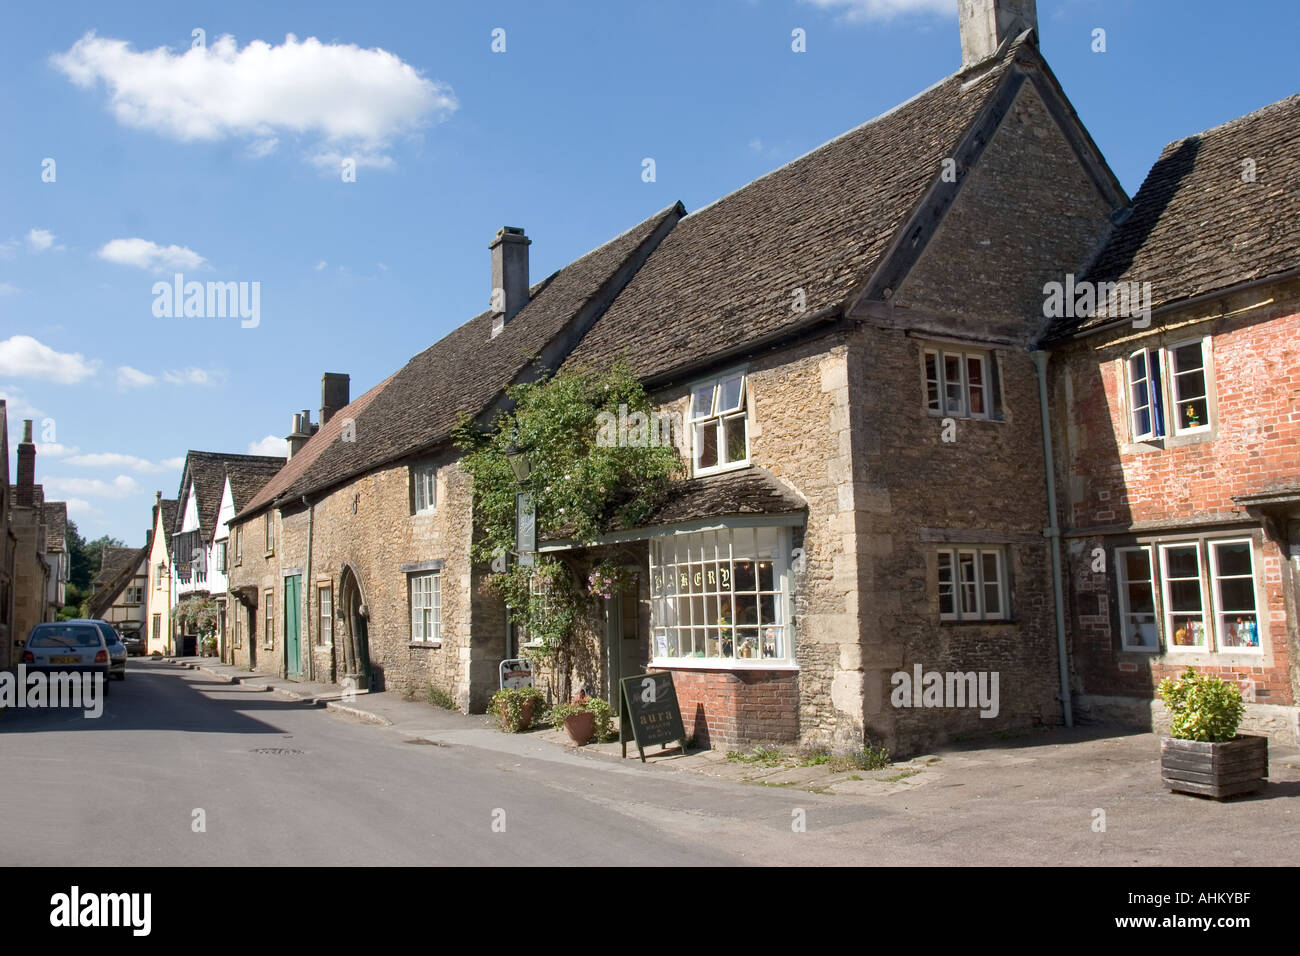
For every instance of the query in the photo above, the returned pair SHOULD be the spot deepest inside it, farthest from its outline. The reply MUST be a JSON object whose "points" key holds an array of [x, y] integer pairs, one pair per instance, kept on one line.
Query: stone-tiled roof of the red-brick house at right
{"points": [[1198, 227]]}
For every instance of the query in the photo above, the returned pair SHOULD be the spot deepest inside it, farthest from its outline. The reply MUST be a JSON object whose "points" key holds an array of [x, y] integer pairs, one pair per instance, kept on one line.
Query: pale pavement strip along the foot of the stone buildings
{"points": [[1058, 750]]}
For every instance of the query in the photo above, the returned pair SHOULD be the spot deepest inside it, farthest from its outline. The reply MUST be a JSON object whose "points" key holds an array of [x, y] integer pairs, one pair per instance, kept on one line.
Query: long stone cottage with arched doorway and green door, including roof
{"points": [[354, 564]]}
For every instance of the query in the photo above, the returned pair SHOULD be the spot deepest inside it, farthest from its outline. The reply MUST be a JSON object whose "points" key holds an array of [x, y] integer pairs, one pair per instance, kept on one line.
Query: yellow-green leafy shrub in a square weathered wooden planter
{"points": [[1204, 755]]}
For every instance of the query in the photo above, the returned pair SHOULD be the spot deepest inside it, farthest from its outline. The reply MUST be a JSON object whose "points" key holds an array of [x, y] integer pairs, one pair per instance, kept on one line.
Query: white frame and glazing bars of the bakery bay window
{"points": [[718, 550]]}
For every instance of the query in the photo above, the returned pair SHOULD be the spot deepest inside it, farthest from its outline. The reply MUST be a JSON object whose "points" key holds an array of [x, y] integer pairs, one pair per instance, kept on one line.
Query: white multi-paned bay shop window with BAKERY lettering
{"points": [[722, 599]]}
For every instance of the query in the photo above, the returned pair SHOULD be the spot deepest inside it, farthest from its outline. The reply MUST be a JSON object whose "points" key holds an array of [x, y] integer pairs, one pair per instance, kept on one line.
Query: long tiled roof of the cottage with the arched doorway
{"points": [[467, 370]]}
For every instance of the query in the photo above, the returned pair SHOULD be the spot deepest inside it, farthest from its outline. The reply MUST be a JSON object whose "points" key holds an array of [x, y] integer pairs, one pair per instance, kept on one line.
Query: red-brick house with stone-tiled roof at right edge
{"points": [[1178, 431]]}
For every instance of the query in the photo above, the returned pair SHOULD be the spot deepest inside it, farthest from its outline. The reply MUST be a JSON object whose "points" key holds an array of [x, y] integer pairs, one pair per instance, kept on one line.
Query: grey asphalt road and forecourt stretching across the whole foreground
{"points": [[280, 782]]}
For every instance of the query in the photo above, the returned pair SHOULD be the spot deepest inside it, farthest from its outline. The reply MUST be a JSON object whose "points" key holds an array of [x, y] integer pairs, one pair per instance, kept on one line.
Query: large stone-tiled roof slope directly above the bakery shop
{"points": [[727, 275]]}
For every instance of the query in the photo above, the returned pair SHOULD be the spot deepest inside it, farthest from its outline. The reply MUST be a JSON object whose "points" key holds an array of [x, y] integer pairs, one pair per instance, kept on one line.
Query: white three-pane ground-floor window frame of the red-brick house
{"points": [[1220, 656]]}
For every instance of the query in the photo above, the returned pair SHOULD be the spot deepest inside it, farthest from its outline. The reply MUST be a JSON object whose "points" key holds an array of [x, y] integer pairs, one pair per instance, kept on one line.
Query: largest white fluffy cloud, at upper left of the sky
{"points": [[343, 97]]}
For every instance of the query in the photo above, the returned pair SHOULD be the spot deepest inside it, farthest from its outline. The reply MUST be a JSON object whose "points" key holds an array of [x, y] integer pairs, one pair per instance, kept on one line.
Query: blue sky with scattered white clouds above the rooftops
{"points": [[224, 165]]}
